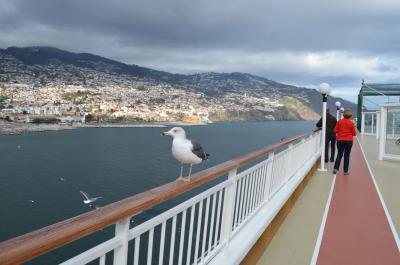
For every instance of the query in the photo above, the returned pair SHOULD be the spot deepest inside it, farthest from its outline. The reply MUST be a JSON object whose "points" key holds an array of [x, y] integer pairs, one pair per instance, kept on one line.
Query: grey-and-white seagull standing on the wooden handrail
{"points": [[185, 151]]}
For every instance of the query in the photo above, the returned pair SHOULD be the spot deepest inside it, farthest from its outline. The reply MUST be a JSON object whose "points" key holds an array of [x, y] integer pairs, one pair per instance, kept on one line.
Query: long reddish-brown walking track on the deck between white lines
{"points": [[356, 229]]}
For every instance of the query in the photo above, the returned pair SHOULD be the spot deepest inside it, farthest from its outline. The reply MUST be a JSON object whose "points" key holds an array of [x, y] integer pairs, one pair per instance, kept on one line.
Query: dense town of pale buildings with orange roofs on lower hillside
{"points": [[111, 103]]}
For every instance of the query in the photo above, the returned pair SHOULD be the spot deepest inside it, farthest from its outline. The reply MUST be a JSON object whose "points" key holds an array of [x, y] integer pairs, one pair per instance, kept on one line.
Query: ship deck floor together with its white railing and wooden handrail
{"points": [[335, 219]]}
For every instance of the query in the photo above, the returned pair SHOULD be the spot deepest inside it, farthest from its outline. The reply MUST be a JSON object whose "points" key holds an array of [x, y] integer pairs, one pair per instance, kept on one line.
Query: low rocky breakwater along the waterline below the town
{"points": [[13, 128]]}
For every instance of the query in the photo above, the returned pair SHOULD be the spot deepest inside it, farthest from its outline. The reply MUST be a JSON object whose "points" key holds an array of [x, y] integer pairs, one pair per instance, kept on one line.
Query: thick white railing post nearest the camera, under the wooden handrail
{"points": [[121, 231]]}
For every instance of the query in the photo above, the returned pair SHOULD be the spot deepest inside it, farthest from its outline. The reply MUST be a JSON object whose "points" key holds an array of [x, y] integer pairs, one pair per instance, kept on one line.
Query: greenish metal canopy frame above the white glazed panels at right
{"points": [[374, 89]]}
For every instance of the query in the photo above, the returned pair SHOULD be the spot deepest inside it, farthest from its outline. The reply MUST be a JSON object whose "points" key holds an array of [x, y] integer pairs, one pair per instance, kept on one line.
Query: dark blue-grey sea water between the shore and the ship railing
{"points": [[41, 174]]}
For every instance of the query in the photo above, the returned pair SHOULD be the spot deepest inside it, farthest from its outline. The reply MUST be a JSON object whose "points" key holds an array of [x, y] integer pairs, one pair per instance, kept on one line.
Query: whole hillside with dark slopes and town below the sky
{"points": [[221, 96]]}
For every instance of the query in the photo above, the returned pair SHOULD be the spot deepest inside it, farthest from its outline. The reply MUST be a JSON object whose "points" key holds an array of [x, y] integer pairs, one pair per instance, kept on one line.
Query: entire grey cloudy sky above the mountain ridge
{"points": [[300, 42]]}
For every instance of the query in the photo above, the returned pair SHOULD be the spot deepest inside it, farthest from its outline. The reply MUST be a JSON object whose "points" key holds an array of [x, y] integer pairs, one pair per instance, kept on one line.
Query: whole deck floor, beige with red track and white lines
{"points": [[344, 219]]}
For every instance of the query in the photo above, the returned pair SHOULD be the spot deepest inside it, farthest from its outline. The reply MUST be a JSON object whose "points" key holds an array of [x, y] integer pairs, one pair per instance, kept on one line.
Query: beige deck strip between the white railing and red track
{"points": [[294, 242]]}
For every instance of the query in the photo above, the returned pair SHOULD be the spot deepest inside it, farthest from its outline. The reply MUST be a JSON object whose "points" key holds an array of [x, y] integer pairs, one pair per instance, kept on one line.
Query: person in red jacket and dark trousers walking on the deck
{"points": [[345, 130]]}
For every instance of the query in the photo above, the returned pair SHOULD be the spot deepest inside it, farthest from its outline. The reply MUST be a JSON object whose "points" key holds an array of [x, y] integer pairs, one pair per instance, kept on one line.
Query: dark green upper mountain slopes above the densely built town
{"points": [[42, 65]]}
